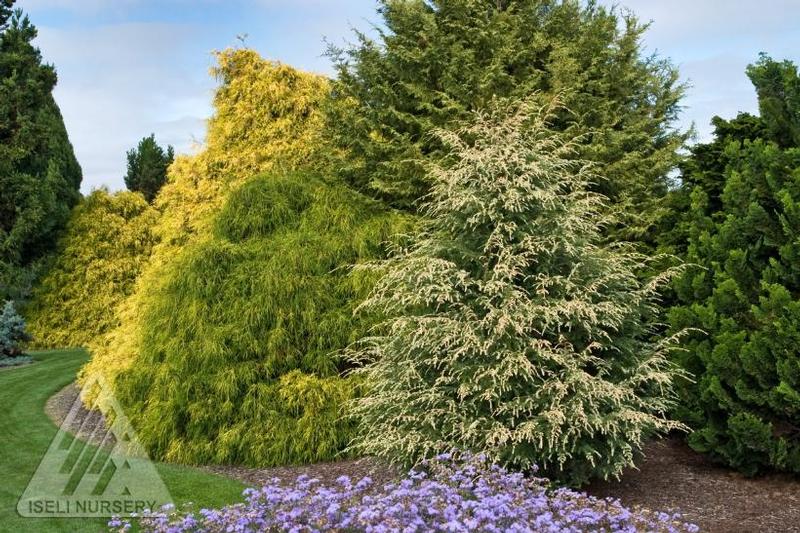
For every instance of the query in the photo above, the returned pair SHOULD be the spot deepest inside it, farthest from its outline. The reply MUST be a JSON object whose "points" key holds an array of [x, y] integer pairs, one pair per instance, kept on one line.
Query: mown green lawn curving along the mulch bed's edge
{"points": [[26, 433]]}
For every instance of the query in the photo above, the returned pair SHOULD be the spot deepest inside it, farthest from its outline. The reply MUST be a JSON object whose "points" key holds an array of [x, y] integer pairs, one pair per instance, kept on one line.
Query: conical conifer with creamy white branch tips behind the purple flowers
{"points": [[509, 330]]}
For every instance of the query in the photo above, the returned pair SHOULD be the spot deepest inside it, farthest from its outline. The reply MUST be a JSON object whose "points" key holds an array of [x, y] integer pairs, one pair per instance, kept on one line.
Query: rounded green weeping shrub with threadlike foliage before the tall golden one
{"points": [[236, 360]]}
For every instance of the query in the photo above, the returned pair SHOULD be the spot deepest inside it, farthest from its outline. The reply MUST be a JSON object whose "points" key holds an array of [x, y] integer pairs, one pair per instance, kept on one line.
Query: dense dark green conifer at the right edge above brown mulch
{"points": [[740, 221]]}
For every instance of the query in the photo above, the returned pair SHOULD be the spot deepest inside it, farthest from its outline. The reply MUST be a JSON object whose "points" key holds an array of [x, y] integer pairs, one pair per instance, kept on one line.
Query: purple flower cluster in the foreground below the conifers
{"points": [[443, 495]]}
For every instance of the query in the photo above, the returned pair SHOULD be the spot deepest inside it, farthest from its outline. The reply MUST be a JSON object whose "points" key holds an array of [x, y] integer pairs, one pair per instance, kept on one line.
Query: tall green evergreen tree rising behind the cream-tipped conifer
{"points": [[437, 60]]}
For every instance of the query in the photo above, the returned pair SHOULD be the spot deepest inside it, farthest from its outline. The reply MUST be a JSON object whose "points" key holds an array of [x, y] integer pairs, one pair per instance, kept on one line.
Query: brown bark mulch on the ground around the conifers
{"points": [[671, 477]]}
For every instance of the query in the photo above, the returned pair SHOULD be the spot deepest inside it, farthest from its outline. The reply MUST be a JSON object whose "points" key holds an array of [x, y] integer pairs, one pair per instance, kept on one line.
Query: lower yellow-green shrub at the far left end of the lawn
{"points": [[106, 245]]}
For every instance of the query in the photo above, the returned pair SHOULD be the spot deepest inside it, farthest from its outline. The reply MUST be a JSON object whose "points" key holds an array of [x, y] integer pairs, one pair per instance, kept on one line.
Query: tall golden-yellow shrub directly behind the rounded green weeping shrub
{"points": [[266, 118]]}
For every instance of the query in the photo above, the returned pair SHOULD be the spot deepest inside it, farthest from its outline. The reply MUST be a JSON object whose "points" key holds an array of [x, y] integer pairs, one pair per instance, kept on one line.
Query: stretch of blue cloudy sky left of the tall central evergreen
{"points": [[120, 82]]}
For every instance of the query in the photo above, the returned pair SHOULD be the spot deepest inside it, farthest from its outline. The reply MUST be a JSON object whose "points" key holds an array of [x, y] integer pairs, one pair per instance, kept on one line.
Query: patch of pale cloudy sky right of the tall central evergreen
{"points": [[712, 42]]}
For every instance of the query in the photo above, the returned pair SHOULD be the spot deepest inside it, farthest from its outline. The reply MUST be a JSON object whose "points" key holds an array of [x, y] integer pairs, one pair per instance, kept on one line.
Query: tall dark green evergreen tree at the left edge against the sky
{"points": [[39, 175]]}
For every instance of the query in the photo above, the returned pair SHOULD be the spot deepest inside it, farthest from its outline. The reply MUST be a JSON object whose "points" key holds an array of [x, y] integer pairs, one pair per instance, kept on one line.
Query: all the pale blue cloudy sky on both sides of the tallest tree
{"points": [[131, 67]]}
